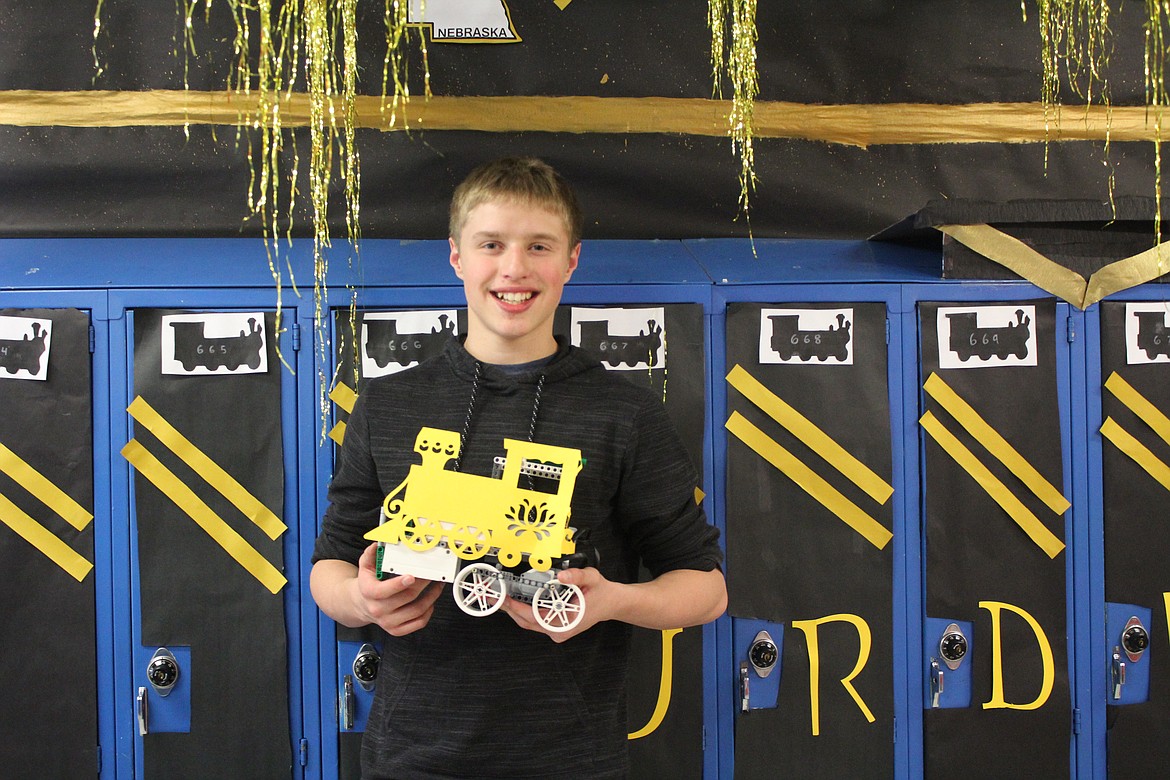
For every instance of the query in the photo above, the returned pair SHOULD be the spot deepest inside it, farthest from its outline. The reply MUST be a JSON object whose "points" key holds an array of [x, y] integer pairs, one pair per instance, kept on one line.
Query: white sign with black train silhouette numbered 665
{"points": [[215, 344]]}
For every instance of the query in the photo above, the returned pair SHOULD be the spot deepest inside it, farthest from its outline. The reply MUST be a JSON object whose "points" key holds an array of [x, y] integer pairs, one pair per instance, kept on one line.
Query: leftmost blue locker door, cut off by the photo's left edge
{"points": [[54, 540]]}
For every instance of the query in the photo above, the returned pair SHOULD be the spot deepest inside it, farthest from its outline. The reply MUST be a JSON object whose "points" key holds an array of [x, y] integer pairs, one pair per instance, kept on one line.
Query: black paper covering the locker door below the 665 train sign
{"points": [[192, 592]]}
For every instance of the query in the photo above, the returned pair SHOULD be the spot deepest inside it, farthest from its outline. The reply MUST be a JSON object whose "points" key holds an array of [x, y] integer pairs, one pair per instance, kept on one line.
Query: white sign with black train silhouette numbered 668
{"points": [[807, 336]]}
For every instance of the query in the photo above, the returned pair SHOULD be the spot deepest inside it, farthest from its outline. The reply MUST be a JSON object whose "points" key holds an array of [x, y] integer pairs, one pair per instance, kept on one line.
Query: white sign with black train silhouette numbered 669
{"points": [[981, 337]]}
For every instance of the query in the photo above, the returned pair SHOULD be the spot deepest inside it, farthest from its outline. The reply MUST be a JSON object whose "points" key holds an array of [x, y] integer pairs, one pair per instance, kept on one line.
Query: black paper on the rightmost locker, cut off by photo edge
{"points": [[1137, 544]]}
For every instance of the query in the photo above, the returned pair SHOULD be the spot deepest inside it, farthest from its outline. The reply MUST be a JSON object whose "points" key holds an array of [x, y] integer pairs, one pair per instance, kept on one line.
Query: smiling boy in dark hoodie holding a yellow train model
{"points": [[500, 696]]}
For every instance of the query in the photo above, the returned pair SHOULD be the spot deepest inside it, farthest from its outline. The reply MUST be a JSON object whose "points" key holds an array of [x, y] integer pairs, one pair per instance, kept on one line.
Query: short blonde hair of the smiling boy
{"points": [[526, 181]]}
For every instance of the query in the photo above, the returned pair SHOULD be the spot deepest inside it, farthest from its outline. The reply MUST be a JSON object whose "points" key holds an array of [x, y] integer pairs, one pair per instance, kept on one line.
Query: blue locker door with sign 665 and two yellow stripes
{"points": [[207, 409]]}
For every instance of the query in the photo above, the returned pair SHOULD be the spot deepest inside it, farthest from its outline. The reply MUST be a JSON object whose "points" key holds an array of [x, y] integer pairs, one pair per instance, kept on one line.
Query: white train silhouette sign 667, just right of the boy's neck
{"points": [[625, 340]]}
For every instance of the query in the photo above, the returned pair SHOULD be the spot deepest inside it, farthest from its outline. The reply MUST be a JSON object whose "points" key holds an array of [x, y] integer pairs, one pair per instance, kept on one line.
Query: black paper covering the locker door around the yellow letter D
{"points": [[975, 553]]}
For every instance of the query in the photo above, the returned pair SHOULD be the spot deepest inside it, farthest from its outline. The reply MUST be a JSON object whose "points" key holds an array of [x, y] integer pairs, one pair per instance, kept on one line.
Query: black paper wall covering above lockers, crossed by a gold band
{"points": [[162, 182]]}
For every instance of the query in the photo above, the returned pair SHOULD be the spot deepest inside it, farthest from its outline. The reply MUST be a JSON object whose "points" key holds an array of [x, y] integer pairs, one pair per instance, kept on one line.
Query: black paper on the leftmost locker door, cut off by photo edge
{"points": [[46, 617]]}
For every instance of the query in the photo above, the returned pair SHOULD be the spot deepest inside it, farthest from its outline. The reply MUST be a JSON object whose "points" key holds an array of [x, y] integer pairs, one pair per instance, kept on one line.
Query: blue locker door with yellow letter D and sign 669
{"points": [[994, 425]]}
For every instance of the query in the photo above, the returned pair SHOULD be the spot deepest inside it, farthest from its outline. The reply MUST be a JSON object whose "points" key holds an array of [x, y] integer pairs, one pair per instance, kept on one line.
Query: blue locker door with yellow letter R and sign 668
{"points": [[810, 515]]}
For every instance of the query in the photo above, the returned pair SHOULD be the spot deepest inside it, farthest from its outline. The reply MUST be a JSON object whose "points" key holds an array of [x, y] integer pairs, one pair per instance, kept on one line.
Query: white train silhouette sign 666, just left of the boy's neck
{"points": [[396, 341]]}
